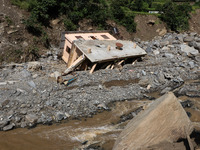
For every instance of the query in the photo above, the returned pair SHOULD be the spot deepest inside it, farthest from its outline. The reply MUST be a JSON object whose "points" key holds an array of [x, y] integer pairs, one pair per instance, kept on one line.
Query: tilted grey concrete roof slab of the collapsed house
{"points": [[109, 52]]}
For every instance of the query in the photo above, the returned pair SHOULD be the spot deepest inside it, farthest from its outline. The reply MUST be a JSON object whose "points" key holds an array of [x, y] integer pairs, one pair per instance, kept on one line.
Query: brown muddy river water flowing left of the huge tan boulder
{"points": [[103, 127]]}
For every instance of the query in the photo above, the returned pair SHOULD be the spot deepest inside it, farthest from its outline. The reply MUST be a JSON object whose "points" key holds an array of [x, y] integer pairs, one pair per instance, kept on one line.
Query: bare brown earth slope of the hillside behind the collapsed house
{"points": [[19, 45]]}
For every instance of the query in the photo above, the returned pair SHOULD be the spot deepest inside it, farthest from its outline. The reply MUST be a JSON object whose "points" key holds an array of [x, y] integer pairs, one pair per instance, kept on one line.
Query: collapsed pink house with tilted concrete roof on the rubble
{"points": [[95, 47]]}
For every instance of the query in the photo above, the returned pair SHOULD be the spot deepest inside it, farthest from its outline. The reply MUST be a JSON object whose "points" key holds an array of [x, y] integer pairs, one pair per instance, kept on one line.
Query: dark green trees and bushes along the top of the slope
{"points": [[176, 15]]}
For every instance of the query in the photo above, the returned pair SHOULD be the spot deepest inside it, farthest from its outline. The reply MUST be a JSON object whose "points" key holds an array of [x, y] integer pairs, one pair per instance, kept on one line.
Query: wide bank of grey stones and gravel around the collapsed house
{"points": [[30, 95]]}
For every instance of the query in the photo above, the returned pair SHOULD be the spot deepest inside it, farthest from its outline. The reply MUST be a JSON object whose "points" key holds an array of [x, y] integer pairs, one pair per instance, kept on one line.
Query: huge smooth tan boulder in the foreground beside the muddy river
{"points": [[164, 120]]}
